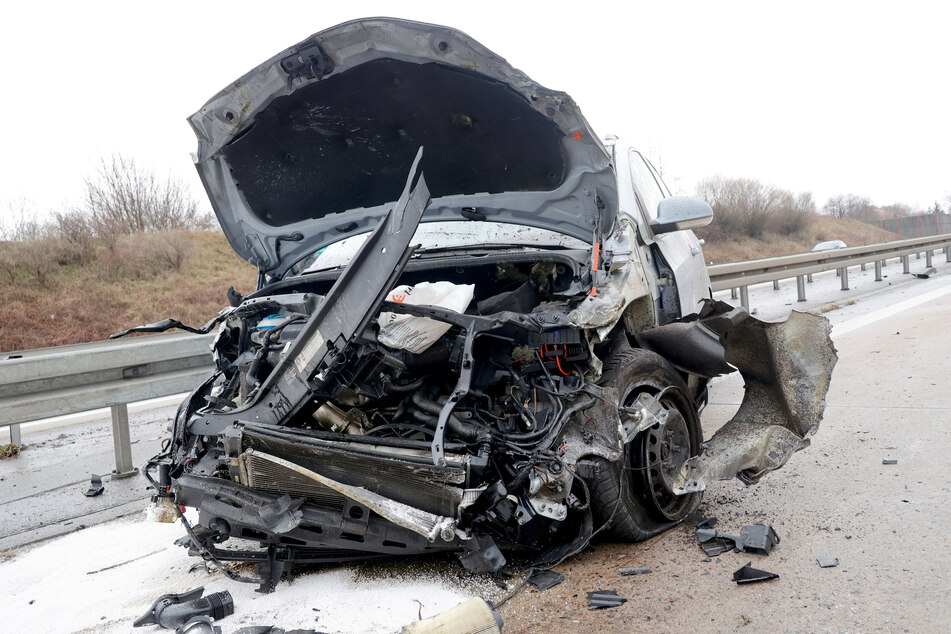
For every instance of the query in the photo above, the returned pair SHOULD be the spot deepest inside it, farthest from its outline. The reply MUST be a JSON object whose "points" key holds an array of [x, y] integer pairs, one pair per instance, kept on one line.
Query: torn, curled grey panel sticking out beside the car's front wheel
{"points": [[787, 367]]}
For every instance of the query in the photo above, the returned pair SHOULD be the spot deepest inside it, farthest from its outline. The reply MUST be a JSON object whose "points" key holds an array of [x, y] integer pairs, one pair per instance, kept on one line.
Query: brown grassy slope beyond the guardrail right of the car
{"points": [[853, 232]]}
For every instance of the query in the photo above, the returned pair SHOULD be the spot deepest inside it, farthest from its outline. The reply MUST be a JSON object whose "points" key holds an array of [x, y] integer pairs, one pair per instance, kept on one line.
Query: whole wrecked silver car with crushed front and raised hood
{"points": [[477, 328]]}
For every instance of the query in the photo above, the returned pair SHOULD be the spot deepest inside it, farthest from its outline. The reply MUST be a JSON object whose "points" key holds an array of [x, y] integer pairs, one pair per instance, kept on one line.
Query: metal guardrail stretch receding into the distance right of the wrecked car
{"points": [[739, 276]]}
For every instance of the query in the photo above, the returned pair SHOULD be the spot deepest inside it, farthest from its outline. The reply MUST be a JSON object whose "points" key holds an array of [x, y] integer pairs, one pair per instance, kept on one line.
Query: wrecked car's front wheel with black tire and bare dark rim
{"points": [[645, 504]]}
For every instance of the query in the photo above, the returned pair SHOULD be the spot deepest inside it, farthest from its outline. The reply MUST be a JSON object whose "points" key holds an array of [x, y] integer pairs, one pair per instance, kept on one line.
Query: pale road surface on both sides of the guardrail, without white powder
{"points": [[887, 524]]}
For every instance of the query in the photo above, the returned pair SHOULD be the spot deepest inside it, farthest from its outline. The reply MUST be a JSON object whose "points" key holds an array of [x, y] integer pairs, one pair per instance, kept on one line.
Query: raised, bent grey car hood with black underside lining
{"points": [[313, 145]]}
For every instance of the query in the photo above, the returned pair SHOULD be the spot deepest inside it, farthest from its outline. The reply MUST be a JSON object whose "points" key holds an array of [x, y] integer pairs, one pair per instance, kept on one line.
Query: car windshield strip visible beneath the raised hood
{"points": [[442, 235]]}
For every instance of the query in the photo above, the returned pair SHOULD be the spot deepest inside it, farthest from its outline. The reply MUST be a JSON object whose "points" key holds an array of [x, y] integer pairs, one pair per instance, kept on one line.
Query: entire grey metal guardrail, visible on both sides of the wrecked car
{"points": [[37, 384]]}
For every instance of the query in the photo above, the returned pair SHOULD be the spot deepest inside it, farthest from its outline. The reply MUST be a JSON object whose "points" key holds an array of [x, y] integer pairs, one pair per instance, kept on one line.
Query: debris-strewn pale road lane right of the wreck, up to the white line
{"points": [[887, 524]]}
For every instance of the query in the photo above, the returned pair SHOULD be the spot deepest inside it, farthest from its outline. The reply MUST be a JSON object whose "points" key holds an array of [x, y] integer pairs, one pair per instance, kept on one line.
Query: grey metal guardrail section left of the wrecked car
{"points": [[37, 384]]}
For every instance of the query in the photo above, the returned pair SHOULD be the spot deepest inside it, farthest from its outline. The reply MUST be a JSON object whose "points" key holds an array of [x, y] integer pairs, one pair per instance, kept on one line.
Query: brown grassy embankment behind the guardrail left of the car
{"points": [[80, 303]]}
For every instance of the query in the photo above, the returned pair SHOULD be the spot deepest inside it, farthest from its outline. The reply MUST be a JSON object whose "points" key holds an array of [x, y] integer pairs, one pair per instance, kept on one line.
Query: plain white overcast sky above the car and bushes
{"points": [[822, 97]]}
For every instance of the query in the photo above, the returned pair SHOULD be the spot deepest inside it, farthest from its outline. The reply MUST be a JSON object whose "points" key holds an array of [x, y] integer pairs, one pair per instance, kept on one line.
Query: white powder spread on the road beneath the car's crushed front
{"points": [[49, 588]]}
